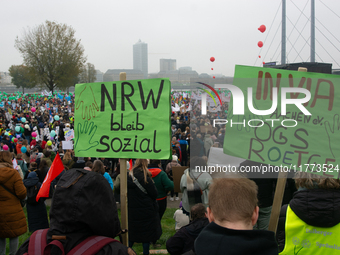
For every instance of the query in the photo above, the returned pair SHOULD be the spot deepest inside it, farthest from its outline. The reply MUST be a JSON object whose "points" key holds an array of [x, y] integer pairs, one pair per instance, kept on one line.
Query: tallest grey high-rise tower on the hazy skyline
{"points": [[140, 57]]}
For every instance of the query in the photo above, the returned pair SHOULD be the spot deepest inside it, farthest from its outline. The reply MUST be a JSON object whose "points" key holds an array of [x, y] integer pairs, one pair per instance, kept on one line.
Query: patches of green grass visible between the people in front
{"points": [[168, 227]]}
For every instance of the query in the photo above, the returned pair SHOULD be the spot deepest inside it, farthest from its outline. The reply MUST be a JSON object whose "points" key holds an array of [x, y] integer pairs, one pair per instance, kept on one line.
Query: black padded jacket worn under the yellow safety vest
{"points": [[316, 207]]}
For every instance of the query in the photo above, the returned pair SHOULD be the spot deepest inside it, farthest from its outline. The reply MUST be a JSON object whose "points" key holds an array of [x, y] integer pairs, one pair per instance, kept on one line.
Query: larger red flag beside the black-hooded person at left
{"points": [[56, 168]]}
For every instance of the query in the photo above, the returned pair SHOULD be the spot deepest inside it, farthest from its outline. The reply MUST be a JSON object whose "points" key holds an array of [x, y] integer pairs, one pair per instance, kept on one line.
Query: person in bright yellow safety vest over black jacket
{"points": [[310, 224]]}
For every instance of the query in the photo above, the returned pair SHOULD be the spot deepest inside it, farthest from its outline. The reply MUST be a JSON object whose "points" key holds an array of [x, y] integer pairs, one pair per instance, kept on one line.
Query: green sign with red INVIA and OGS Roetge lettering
{"points": [[298, 133]]}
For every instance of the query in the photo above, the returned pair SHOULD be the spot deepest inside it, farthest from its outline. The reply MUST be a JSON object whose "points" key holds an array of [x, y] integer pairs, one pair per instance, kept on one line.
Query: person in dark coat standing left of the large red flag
{"points": [[36, 211]]}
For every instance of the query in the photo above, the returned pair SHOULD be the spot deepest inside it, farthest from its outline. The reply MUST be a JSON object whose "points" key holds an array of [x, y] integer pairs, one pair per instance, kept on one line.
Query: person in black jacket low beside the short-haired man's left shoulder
{"points": [[183, 240]]}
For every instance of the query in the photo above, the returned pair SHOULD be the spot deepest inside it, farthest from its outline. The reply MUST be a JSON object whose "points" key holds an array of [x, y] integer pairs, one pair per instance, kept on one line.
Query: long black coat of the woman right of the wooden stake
{"points": [[144, 222]]}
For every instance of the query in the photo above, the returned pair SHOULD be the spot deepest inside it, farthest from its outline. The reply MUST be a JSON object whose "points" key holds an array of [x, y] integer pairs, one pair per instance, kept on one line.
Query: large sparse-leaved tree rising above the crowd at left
{"points": [[53, 54]]}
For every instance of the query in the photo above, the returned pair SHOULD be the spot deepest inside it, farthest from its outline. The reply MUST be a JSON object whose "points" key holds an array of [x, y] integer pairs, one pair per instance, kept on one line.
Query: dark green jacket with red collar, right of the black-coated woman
{"points": [[162, 182]]}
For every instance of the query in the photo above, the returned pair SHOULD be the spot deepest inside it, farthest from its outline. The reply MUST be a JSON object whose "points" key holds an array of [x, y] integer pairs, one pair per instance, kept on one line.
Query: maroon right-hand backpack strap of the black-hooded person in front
{"points": [[91, 245]]}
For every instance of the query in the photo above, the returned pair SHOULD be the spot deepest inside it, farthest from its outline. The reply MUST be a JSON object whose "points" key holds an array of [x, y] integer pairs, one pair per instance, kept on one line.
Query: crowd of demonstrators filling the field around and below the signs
{"points": [[216, 216]]}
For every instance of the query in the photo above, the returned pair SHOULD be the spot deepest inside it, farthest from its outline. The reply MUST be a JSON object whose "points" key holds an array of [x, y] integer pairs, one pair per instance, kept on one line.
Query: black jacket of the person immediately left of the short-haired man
{"points": [[184, 238]]}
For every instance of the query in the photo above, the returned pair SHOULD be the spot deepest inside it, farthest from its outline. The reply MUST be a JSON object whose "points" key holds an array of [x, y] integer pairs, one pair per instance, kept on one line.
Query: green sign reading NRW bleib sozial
{"points": [[123, 119]]}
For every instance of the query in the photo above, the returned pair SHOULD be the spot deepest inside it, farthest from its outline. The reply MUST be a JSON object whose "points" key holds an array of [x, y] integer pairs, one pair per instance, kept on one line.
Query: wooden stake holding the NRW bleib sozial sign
{"points": [[123, 190]]}
